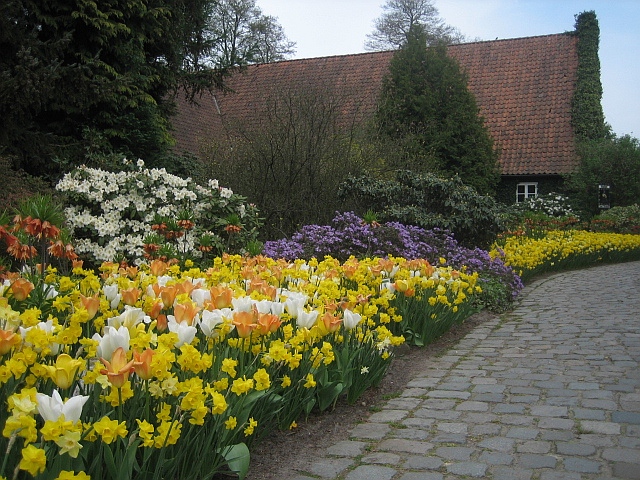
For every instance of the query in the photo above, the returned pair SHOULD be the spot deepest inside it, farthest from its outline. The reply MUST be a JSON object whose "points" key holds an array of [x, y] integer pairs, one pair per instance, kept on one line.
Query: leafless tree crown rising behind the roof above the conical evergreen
{"points": [[401, 16]]}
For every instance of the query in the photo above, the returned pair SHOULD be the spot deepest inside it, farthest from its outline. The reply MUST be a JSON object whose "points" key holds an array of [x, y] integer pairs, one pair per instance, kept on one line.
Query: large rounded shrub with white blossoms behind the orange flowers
{"points": [[144, 213]]}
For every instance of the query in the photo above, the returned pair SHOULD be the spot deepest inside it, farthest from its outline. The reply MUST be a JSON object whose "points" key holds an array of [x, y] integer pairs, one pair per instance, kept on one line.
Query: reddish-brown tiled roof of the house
{"points": [[523, 87]]}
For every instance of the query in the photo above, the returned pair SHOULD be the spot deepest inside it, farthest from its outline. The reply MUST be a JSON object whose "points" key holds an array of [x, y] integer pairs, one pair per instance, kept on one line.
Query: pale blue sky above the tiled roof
{"points": [[340, 27]]}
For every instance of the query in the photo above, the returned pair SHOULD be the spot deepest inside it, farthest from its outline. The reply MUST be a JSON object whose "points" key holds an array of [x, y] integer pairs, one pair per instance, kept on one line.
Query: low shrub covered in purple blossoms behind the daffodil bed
{"points": [[350, 235]]}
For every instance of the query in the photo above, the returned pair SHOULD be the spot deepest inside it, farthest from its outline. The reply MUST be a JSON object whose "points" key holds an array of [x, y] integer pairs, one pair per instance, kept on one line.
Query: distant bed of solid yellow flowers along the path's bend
{"points": [[558, 250]]}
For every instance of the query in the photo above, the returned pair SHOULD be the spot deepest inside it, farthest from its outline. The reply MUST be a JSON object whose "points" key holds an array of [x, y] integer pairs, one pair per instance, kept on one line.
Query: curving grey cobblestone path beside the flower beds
{"points": [[549, 391]]}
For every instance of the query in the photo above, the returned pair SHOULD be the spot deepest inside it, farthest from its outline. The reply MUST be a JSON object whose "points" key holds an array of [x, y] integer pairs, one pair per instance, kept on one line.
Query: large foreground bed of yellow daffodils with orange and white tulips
{"points": [[160, 372]]}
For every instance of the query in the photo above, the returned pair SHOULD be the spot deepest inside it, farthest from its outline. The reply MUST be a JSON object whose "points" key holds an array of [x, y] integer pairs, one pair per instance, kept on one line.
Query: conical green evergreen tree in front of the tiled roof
{"points": [[427, 109]]}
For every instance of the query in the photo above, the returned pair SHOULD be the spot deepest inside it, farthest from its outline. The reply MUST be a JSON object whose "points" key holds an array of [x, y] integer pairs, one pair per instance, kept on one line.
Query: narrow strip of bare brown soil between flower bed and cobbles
{"points": [[283, 455]]}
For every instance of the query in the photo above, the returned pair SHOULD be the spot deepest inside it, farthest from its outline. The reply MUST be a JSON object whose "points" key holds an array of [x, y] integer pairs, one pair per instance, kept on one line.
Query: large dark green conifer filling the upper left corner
{"points": [[78, 73]]}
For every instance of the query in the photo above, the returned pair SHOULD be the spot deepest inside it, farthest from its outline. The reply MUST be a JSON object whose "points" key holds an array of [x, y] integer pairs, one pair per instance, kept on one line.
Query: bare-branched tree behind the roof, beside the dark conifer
{"points": [[240, 34]]}
